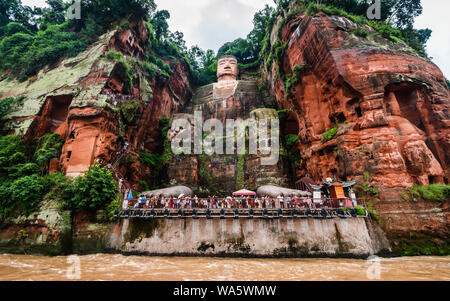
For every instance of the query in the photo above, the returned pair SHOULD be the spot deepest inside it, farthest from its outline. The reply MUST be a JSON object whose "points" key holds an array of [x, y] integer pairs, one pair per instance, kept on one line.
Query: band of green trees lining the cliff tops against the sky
{"points": [[31, 39]]}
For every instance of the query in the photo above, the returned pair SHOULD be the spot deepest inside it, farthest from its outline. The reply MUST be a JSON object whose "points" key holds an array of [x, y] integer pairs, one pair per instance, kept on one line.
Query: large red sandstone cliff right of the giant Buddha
{"points": [[389, 106]]}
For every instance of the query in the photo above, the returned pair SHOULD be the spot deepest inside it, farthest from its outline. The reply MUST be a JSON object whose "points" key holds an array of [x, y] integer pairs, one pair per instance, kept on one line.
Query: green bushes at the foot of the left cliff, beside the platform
{"points": [[25, 182]]}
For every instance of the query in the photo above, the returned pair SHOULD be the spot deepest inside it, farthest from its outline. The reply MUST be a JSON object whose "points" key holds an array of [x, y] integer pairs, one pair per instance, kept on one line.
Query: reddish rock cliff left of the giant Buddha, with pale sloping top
{"points": [[104, 112]]}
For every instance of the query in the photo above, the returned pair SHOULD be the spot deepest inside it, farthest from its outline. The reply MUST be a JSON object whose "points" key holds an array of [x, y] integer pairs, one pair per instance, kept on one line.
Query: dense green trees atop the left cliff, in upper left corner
{"points": [[31, 39]]}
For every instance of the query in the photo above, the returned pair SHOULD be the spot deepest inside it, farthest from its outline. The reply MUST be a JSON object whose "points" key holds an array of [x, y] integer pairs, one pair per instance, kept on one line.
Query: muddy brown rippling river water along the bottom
{"points": [[137, 268]]}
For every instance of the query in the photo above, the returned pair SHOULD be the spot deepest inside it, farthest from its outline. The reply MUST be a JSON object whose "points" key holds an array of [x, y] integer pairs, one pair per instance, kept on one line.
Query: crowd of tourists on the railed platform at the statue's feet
{"points": [[237, 202]]}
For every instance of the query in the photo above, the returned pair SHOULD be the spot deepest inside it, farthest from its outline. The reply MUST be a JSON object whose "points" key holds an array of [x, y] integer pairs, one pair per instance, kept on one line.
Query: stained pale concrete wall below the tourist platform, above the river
{"points": [[355, 237]]}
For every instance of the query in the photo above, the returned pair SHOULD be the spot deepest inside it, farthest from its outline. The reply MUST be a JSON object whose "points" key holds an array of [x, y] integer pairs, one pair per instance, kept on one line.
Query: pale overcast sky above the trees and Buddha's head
{"points": [[211, 23]]}
